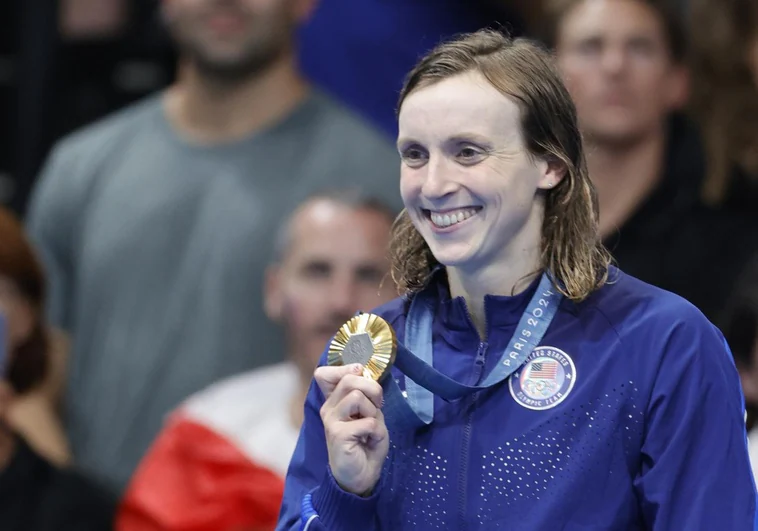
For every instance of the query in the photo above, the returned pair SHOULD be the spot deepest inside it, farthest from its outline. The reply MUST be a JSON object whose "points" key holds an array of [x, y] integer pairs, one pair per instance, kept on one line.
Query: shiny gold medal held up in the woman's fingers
{"points": [[366, 339]]}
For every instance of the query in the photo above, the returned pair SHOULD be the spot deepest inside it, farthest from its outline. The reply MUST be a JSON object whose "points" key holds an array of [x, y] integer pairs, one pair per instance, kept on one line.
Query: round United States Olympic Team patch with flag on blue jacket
{"points": [[545, 380]]}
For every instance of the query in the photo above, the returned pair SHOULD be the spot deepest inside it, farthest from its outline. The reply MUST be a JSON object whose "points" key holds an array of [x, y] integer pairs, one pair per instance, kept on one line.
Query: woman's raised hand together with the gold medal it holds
{"points": [[360, 356]]}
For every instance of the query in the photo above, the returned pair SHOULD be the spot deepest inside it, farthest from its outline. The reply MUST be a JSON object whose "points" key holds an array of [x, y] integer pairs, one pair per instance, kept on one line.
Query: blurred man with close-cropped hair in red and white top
{"points": [[220, 461]]}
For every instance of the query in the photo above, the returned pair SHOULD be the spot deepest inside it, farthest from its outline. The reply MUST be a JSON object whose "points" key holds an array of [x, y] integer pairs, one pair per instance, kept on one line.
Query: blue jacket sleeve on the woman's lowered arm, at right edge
{"points": [[695, 471]]}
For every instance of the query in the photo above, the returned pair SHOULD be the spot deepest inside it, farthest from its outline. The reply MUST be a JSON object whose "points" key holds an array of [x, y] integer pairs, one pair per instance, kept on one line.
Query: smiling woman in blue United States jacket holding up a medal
{"points": [[543, 388]]}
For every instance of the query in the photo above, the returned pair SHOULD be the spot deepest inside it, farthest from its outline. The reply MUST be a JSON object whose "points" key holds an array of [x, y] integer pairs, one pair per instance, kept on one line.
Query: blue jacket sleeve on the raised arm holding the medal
{"points": [[312, 499]]}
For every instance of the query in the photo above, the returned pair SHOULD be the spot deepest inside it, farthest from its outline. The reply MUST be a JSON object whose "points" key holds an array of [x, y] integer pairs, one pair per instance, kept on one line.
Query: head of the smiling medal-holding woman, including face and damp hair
{"points": [[461, 124]]}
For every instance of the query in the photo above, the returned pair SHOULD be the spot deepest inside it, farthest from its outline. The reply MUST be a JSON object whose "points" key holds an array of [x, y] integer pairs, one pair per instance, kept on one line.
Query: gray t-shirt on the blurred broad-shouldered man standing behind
{"points": [[156, 251]]}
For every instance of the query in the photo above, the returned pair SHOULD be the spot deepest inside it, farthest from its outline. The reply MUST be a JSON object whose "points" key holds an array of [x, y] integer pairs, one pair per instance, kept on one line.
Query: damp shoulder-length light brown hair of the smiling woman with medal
{"points": [[572, 252]]}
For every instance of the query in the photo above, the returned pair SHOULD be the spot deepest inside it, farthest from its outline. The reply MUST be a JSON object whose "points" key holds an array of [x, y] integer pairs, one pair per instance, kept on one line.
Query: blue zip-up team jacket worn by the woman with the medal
{"points": [[650, 433]]}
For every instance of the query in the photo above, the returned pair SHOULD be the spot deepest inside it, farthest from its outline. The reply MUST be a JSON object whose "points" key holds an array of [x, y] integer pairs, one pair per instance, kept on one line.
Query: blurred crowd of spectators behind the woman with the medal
{"points": [[197, 193]]}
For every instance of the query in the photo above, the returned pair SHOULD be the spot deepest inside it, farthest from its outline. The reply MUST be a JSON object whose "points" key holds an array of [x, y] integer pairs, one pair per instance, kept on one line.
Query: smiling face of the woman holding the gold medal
{"points": [[467, 179]]}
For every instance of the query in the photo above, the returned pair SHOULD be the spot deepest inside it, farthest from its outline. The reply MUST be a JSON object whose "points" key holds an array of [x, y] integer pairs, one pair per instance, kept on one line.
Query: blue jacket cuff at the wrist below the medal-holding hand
{"points": [[340, 510]]}
